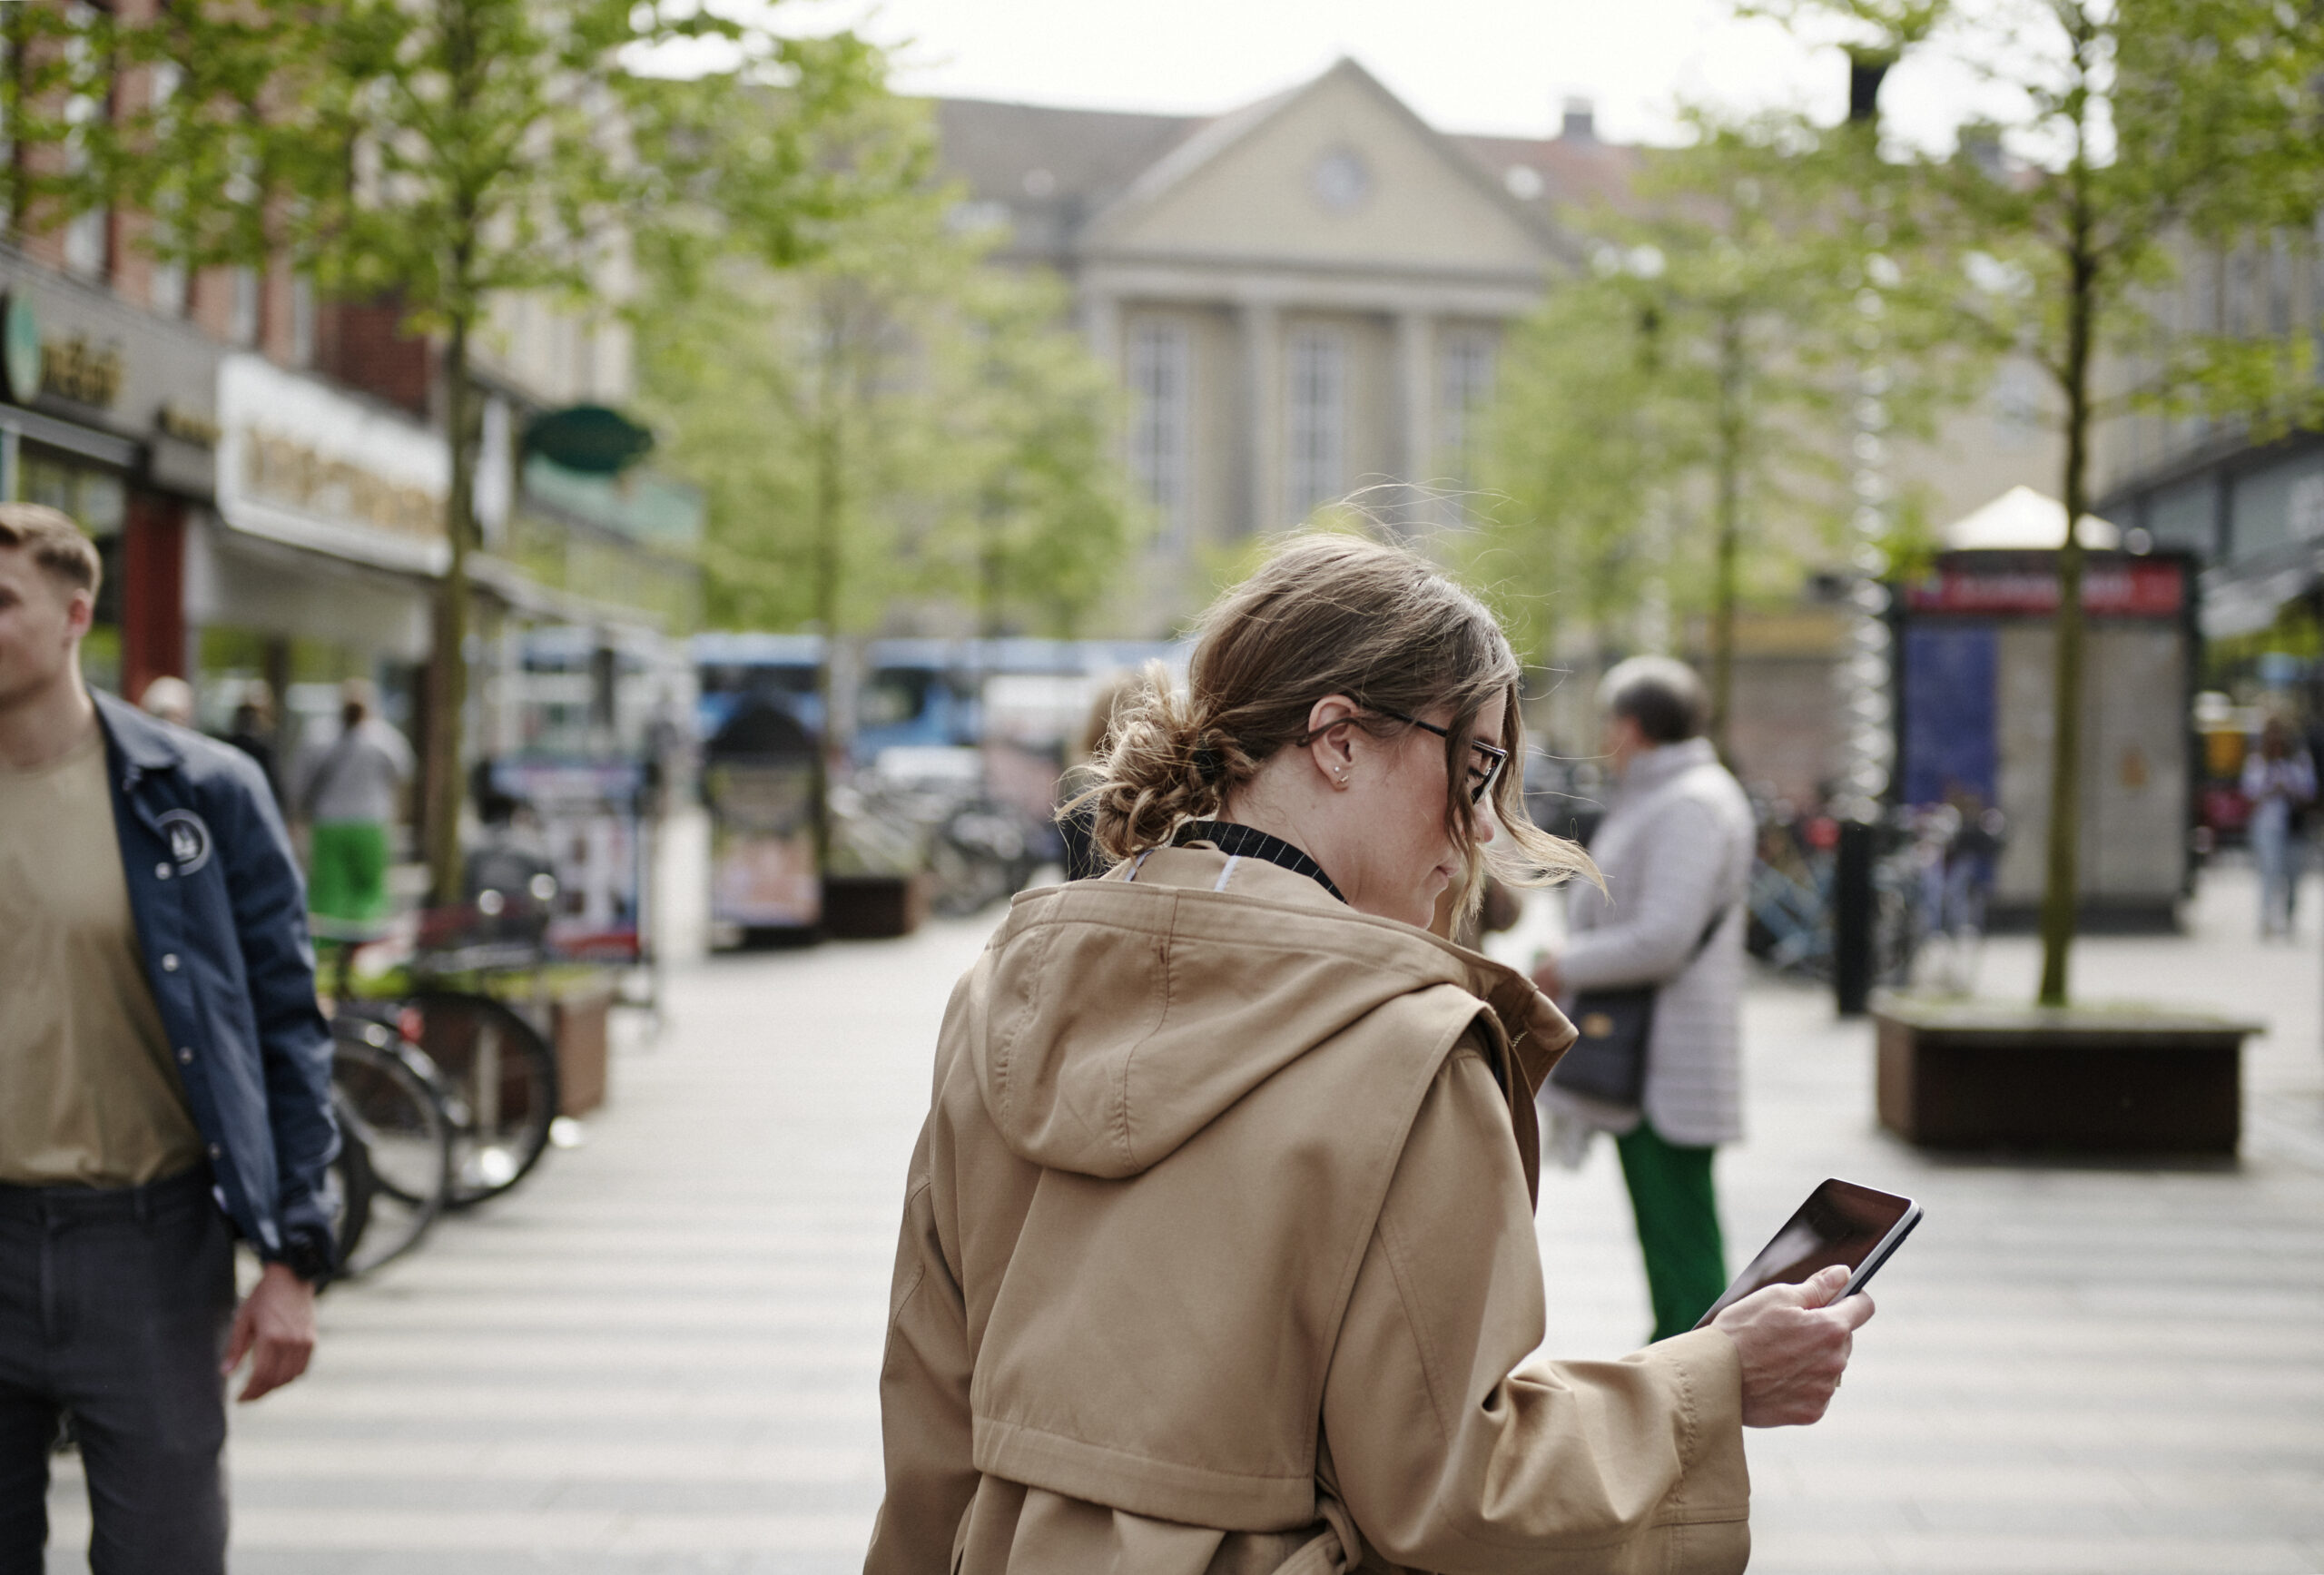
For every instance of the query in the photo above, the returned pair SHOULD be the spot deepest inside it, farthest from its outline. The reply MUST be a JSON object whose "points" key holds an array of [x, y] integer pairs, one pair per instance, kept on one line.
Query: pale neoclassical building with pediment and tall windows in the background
{"points": [[1305, 299]]}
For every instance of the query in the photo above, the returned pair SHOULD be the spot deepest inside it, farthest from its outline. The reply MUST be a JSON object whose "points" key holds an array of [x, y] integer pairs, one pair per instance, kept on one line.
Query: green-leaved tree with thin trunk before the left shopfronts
{"points": [[445, 157]]}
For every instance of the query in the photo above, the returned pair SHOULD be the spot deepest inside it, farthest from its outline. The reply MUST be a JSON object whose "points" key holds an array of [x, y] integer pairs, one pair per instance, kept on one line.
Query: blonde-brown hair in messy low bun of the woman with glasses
{"points": [[1328, 614]]}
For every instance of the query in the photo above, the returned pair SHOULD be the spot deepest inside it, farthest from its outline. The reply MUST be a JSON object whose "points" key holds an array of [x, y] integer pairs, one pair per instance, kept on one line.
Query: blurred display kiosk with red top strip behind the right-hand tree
{"points": [[1977, 719]]}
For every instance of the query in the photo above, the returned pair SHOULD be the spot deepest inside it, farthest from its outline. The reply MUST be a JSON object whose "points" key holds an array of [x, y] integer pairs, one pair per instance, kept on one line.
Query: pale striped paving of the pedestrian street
{"points": [[661, 1353]]}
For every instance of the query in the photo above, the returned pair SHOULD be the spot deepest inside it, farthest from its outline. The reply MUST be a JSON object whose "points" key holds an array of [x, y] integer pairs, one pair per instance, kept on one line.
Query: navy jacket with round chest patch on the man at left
{"points": [[222, 916]]}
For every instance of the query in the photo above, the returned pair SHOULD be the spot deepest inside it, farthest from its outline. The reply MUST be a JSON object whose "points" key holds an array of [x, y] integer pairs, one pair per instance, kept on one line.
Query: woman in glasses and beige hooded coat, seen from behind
{"points": [[1219, 1249]]}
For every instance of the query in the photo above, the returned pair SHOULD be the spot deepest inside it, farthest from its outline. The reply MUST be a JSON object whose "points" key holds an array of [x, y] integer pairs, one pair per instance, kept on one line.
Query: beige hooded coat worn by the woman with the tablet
{"points": [[1219, 1258]]}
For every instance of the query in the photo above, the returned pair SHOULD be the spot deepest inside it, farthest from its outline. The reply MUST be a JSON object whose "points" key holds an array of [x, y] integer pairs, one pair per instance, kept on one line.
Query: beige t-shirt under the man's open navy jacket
{"points": [[87, 1086]]}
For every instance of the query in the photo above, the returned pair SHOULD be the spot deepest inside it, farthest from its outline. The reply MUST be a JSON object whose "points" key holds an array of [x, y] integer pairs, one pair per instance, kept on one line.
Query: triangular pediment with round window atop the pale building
{"points": [[1328, 175]]}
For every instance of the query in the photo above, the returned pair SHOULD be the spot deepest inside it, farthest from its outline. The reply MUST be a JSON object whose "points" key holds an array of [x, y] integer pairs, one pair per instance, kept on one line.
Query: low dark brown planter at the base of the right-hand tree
{"points": [[2079, 1079]]}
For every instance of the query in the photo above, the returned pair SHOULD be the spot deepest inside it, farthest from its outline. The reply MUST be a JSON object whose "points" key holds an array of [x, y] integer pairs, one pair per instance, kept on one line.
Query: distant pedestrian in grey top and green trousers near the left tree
{"points": [[347, 791]]}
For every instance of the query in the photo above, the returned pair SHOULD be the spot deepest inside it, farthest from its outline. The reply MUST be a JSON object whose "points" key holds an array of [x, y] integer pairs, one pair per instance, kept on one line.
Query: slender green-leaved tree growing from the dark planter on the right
{"points": [[2142, 127]]}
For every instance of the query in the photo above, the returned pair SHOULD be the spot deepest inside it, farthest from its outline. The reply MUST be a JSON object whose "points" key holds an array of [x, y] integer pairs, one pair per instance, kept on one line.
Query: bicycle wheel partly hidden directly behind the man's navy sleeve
{"points": [[401, 1112]]}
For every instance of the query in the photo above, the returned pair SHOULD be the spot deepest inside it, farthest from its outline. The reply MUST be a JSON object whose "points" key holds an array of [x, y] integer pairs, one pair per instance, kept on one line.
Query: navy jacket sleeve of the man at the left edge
{"points": [[294, 1042]]}
